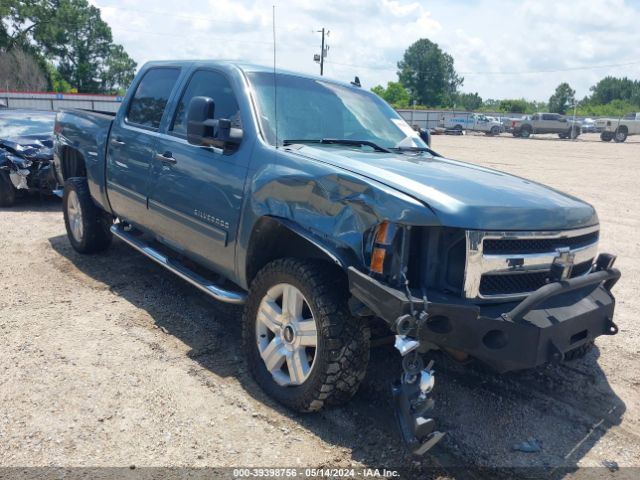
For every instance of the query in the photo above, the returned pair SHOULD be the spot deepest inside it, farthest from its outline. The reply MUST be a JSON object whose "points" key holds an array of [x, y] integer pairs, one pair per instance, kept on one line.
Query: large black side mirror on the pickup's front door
{"points": [[204, 130]]}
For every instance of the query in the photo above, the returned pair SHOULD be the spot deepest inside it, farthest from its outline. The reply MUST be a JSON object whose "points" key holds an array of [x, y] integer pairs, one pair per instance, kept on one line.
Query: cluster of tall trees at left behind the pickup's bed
{"points": [[61, 46]]}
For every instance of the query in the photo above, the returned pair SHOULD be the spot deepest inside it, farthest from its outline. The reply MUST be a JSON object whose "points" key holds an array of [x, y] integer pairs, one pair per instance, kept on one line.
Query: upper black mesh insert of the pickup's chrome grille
{"points": [[536, 245]]}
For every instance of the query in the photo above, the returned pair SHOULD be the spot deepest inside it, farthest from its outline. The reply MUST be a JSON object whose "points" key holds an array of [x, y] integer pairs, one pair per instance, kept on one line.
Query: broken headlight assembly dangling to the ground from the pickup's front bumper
{"points": [[411, 393]]}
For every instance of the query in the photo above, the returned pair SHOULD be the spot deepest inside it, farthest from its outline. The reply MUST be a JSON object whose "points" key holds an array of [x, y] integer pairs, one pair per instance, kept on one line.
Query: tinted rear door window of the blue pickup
{"points": [[147, 105]]}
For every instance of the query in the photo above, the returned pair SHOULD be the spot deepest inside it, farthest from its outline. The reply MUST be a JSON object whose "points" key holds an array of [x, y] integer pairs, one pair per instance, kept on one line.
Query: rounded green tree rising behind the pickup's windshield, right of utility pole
{"points": [[428, 74]]}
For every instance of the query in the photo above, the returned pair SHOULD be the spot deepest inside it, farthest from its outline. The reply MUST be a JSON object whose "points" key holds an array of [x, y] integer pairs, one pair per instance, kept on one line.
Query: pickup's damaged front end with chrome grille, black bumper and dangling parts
{"points": [[417, 279]]}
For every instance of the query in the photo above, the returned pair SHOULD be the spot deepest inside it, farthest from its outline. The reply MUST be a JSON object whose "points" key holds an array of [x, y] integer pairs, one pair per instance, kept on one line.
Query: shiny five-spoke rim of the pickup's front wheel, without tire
{"points": [[286, 335]]}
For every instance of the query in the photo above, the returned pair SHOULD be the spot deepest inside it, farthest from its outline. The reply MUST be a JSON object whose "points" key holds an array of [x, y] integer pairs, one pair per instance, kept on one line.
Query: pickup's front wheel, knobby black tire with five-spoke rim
{"points": [[302, 345]]}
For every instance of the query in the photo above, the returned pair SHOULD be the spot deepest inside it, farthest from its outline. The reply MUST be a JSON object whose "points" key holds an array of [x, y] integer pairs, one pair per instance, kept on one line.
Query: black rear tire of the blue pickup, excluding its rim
{"points": [[96, 222]]}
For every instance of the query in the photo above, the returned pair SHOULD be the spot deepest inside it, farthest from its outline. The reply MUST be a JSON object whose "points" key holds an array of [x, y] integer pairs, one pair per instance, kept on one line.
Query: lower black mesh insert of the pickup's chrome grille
{"points": [[522, 282]]}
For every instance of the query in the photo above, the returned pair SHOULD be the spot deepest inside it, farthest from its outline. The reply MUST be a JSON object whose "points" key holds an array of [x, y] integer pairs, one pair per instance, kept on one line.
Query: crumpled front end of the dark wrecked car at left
{"points": [[28, 164]]}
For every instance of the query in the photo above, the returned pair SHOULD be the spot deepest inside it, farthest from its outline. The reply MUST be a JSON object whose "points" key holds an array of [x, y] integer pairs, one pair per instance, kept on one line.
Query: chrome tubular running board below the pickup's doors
{"points": [[220, 294]]}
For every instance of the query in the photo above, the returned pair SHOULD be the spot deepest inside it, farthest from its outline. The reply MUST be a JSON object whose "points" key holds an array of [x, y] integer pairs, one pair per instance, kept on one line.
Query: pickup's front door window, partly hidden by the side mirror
{"points": [[205, 83]]}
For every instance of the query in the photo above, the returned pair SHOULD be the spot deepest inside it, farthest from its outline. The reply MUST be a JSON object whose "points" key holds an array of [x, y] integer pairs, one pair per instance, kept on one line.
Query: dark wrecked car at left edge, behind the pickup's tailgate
{"points": [[26, 153]]}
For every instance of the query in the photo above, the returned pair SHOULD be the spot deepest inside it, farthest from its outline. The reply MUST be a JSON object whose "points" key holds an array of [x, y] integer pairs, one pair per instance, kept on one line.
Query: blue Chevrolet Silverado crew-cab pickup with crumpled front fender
{"points": [[312, 203]]}
